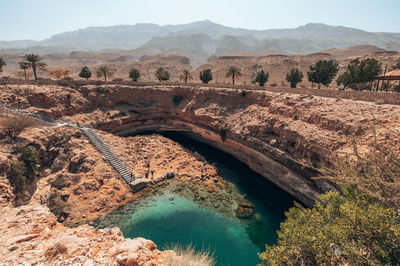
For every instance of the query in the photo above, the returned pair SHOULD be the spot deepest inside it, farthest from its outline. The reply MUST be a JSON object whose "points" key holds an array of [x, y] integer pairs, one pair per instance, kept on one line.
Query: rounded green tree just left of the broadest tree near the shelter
{"points": [[323, 72]]}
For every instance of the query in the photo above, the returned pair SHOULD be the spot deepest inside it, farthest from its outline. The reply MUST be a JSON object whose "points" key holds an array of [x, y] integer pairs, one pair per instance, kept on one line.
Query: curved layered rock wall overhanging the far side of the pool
{"points": [[276, 134]]}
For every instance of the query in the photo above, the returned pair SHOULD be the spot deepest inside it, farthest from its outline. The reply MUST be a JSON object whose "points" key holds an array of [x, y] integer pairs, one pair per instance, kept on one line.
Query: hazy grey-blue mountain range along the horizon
{"points": [[199, 40]]}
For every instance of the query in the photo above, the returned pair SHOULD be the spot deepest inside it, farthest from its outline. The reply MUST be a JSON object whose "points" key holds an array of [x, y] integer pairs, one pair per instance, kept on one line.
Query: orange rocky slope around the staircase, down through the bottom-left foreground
{"points": [[76, 186]]}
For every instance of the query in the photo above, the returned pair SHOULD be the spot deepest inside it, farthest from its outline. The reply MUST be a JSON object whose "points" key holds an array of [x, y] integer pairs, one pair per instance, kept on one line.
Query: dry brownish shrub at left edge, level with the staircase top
{"points": [[13, 125]]}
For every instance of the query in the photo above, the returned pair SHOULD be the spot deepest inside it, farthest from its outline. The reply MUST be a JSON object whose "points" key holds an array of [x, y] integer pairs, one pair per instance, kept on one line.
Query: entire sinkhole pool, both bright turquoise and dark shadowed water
{"points": [[167, 217]]}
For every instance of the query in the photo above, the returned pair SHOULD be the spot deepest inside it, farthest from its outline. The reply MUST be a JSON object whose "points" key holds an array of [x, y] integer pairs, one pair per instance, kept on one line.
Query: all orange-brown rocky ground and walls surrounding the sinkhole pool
{"points": [[282, 136]]}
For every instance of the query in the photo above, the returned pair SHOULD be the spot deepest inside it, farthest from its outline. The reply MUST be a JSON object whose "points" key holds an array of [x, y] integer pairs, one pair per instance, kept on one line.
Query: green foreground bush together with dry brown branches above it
{"points": [[359, 226]]}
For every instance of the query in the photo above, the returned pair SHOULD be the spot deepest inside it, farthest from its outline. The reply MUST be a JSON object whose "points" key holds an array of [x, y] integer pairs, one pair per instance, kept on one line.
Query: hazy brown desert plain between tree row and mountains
{"points": [[277, 65]]}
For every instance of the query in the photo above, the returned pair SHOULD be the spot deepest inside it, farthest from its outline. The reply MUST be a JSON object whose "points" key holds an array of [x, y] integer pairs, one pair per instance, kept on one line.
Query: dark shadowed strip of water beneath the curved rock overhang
{"points": [[269, 200]]}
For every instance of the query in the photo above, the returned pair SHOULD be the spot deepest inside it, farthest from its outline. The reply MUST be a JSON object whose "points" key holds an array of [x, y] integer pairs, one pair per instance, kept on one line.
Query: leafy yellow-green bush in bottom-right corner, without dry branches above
{"points": [[353, 228]]}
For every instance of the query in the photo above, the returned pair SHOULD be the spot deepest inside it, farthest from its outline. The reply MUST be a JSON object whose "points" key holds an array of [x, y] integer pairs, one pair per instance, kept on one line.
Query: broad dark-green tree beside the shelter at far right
{"points": [[359, 72]]}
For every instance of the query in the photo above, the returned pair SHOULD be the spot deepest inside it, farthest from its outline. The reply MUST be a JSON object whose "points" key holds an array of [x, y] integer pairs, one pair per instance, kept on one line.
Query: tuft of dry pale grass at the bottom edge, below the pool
{"points": [[188, 256]]}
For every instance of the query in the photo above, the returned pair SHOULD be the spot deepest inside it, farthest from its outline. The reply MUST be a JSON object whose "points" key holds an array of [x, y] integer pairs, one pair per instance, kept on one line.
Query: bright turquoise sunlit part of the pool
{"points": [[182, 221]]}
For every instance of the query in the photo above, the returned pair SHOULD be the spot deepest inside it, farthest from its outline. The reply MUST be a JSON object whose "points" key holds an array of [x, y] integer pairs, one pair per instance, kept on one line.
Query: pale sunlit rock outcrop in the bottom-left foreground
{"points": [[31, 234]]}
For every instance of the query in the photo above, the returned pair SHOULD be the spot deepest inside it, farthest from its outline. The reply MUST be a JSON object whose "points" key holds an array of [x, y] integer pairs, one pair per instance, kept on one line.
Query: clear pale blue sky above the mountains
{"points": [[39, 19]]}
